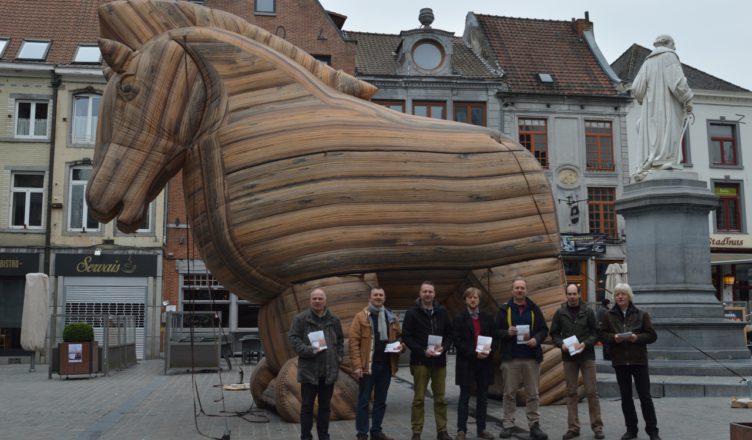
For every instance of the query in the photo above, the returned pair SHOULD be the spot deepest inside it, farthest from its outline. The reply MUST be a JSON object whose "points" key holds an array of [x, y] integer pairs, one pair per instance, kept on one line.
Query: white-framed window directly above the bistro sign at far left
{"points": [[28, 192]]}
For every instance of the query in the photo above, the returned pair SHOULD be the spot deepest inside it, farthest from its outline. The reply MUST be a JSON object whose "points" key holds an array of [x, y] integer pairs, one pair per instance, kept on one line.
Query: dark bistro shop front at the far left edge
{"points": [[13, 269]]}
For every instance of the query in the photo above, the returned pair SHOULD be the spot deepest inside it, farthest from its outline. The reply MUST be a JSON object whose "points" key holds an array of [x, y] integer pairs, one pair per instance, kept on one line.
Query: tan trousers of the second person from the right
{"points": [[571, 376]]}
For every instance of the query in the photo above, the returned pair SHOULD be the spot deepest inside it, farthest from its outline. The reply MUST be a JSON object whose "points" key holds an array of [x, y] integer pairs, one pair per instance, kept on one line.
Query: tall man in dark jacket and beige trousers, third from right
{"points": [[521, 355]]}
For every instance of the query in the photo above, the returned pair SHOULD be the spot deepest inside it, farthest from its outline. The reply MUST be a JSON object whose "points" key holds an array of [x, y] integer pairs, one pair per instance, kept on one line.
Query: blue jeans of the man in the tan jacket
{"points": [[378, 383]]}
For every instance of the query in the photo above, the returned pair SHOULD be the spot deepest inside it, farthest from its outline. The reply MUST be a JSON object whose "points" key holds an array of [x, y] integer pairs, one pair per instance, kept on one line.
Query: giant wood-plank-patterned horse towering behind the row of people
{"points": [[293, 180]]}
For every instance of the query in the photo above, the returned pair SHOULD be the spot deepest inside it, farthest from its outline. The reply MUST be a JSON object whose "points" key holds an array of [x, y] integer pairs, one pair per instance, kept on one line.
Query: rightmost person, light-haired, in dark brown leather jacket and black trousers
{"points": [[630, 330]]}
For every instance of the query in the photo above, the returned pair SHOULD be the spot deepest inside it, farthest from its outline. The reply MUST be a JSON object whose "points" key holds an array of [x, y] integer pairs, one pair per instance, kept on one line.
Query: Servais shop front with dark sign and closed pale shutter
{"points": [[112, 284]]}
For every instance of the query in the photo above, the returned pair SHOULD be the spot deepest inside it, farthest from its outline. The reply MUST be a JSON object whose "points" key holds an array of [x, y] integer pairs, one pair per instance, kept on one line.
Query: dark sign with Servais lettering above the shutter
{"points": [[119, 265]]}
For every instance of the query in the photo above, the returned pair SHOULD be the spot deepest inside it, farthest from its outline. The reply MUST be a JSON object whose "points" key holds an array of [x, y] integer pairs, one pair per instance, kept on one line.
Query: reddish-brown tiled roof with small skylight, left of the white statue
{"points": [[526, 47]]}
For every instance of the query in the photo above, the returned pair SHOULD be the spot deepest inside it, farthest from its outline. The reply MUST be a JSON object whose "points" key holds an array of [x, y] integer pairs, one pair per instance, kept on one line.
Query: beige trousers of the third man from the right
{"points": [[516, 372]]}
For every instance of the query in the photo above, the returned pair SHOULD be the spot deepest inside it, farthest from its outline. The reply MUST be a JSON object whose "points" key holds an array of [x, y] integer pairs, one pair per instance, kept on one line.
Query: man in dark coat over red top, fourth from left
{"points": [[474, 361]]}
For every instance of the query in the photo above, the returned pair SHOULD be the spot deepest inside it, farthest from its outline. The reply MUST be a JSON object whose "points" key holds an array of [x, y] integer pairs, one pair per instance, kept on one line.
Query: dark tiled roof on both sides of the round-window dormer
{"points": [[377, 55]]}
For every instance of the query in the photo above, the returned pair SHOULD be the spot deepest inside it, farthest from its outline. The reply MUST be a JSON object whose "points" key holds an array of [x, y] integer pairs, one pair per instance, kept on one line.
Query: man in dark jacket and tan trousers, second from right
{"points": [[574, 318]]}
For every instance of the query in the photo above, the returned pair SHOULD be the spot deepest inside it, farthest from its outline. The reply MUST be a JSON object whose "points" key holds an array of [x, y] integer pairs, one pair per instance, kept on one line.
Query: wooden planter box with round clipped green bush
{"points": [[78, 351]]}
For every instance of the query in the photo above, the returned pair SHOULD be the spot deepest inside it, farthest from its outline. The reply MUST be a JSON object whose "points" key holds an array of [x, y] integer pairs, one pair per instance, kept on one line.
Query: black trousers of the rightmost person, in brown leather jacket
{"points": [[624, 375]]}
